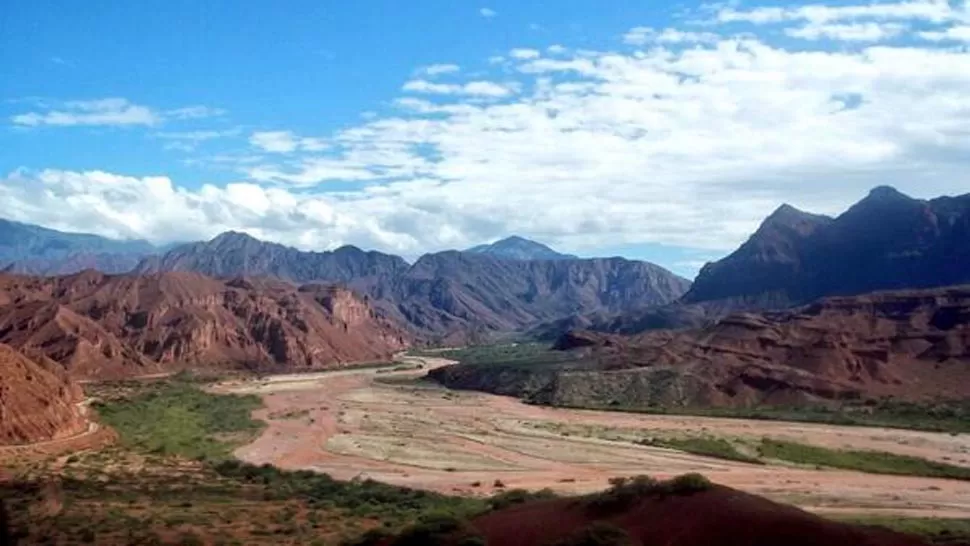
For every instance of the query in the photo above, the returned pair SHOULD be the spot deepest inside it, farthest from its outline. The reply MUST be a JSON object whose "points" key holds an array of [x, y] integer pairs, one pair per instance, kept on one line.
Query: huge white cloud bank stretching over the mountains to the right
{"points": [[666, 144]]}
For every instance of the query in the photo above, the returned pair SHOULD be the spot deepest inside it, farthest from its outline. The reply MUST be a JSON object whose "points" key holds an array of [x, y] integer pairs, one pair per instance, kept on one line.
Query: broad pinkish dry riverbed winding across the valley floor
{"points": [[350, 423]]}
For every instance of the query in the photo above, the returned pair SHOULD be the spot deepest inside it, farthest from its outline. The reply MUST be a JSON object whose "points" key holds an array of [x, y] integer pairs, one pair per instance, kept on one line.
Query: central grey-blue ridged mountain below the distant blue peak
{"points": [[453, 293]]}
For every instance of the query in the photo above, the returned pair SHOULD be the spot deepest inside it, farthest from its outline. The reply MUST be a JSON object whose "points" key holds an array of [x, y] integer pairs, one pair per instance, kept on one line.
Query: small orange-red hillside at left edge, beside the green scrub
{"points": [[37, 402]]}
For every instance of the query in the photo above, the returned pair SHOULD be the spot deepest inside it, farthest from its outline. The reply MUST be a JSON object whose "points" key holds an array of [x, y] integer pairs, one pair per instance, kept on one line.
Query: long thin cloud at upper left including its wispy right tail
{"points": [[108, 112]]}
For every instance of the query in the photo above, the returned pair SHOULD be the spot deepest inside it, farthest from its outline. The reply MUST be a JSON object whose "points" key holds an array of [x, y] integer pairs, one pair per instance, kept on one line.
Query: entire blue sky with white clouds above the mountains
{"points": [[651, 130]]}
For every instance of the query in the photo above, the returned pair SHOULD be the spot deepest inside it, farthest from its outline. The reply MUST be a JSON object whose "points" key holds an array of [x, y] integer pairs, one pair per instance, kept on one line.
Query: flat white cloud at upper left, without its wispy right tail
{"points": [[112, 111]]}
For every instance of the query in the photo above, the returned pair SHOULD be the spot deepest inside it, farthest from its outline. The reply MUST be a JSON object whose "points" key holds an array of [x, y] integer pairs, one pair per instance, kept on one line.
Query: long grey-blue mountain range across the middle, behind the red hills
{"points": [[448, 296]]}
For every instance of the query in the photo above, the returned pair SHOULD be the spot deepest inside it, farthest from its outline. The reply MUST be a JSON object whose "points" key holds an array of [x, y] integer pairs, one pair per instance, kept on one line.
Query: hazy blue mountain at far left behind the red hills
{"points": [[31, 249]]}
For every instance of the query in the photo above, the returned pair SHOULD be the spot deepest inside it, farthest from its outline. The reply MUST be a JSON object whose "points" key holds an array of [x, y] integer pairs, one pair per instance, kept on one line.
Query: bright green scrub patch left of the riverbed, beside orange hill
{"points": [[178, 418]]}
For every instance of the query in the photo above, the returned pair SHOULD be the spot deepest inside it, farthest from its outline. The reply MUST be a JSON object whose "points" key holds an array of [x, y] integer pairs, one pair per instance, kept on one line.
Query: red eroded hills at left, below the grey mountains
{"points": [[102, 326]]}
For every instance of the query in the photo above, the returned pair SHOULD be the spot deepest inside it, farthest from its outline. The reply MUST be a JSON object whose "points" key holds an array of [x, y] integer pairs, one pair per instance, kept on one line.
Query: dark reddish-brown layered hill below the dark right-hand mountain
{"points": [[909, 345]]}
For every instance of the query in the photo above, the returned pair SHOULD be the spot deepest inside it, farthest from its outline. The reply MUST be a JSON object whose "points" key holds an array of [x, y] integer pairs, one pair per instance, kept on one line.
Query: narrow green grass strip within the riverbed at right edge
{"points": [[875, 462]]}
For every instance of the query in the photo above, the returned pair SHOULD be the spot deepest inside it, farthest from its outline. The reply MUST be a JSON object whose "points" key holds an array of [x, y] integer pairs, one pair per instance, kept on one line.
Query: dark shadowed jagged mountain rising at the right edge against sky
{"points": [[886, 241]]}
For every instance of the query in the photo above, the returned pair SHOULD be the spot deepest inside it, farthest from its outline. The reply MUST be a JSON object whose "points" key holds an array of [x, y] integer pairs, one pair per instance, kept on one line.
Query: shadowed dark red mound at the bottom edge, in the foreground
{"points": [[686, 511]]}
